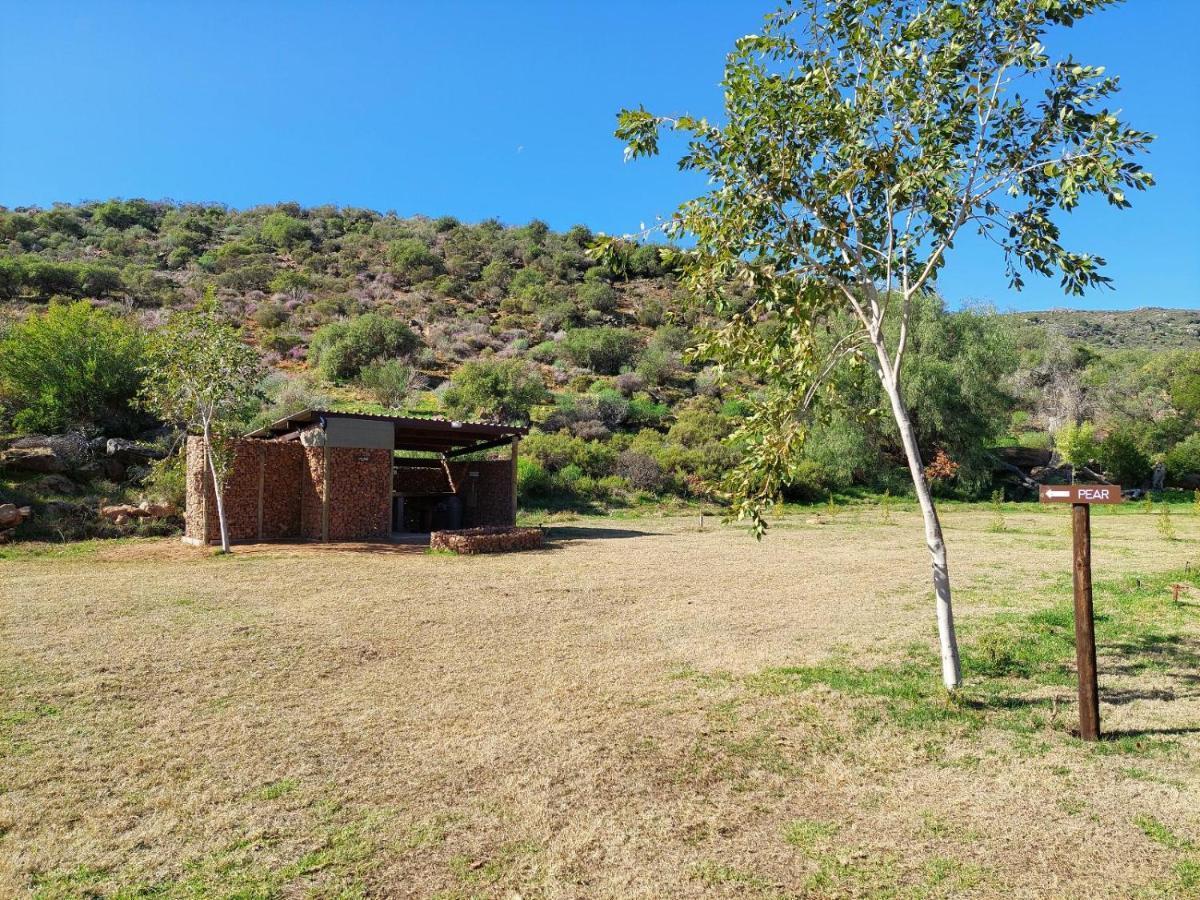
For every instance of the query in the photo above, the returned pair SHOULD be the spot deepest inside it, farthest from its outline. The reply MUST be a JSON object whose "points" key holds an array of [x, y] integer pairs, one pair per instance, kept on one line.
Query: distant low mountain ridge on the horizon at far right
{"points": [[1149, 328]]}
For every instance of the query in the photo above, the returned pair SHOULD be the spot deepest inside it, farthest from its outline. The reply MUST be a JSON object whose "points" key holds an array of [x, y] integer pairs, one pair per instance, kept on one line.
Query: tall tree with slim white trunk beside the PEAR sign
{"points": [[859, 140]]}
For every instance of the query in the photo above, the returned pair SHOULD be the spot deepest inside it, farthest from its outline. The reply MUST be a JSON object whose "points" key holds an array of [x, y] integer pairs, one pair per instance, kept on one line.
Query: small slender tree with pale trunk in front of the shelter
{"points": [[202, 376]]}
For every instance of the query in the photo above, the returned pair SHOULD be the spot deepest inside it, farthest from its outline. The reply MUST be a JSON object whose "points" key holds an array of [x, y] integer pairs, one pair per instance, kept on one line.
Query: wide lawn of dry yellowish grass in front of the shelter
{"points": [[640, 711]]}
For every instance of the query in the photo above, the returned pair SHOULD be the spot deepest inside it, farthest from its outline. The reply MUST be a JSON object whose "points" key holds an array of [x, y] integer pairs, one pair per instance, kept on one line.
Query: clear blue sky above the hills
{"points": [[503, 110]]}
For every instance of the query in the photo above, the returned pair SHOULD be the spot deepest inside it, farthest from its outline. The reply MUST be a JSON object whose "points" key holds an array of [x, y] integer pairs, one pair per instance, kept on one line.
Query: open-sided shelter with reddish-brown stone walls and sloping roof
{"points": [[337, 477]]}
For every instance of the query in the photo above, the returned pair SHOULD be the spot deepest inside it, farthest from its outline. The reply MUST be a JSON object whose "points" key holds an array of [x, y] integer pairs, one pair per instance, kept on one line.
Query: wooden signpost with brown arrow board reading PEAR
{"points": [[1082, 497]]}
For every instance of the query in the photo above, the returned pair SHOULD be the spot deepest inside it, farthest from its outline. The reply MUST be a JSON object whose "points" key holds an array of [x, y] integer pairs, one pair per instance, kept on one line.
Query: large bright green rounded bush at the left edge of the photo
{"points": [[71, 365]]}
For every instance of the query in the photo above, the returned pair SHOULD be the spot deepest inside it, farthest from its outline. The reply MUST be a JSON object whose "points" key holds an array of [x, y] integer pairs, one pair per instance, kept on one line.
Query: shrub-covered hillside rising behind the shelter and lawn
{"points": [[356, 309]]}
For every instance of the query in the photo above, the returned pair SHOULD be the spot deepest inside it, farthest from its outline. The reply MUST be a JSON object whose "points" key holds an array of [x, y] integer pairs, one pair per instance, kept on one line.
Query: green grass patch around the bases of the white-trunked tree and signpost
{"points": [[1018, 668]]}
